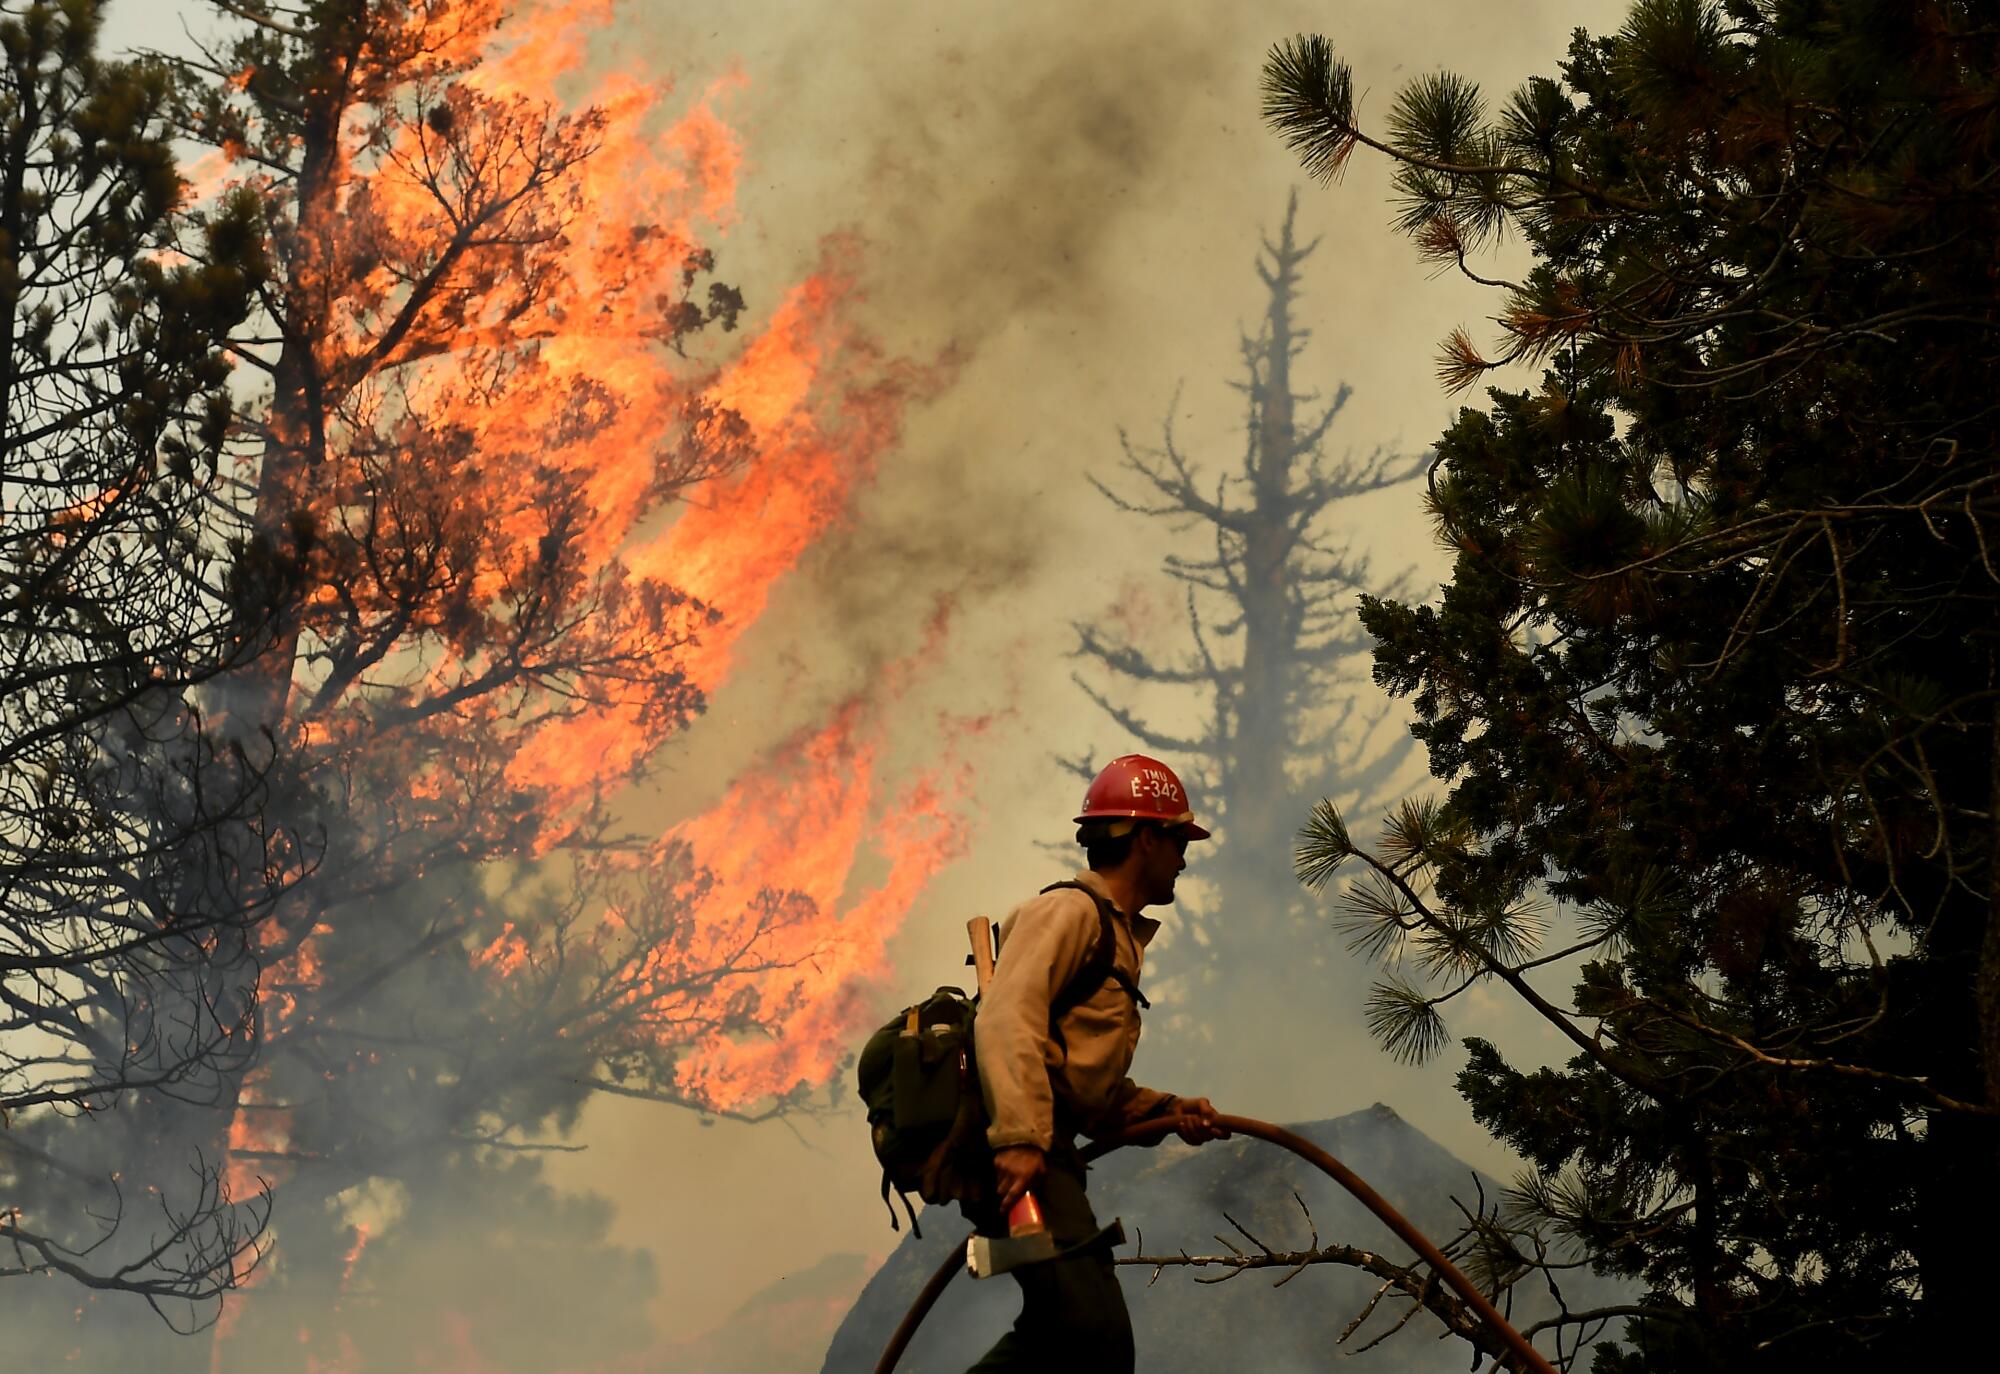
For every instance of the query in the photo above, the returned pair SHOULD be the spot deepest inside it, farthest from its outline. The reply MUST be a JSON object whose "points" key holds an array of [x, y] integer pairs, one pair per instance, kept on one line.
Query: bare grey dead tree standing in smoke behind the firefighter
{"points": [[1269, 677]]}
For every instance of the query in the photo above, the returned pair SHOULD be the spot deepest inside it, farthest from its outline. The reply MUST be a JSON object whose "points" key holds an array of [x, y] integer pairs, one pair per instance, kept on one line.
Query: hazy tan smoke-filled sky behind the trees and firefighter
{"points": [[1071, 197]]}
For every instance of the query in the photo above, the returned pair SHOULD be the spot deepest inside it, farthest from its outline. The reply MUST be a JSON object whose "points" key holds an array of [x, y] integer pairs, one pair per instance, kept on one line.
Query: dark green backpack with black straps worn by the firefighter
{"points": [[921, 1083]]}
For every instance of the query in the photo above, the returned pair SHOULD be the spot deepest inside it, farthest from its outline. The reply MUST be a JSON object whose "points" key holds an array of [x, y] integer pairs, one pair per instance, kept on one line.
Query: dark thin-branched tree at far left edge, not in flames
{"points": [[135, 863]]}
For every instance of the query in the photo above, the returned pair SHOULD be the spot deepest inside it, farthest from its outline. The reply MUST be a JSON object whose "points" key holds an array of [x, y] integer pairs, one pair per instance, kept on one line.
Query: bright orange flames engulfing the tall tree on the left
{"points": [[813, 861]]}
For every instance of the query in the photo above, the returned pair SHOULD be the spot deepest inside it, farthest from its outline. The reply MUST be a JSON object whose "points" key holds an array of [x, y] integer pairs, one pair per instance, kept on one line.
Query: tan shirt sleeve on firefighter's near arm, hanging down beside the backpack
{"points": [[1045, 947]]}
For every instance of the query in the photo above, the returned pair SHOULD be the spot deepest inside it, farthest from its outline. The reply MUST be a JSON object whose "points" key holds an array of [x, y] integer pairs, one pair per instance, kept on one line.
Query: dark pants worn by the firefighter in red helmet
{"points": [[1073, 1315]]}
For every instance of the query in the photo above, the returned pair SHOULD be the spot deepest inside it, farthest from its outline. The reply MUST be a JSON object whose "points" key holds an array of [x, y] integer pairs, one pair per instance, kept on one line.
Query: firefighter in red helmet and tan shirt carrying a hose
{"points": [[1057, 1031]]}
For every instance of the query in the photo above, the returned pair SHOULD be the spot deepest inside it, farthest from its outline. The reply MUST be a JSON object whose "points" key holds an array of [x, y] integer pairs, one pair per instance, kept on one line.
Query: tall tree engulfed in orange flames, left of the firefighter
{"points": [[479, 387]]}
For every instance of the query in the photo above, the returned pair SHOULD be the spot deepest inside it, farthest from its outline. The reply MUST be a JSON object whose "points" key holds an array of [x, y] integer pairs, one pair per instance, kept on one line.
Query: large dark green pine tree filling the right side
{"points": [[1715, 681]]}
